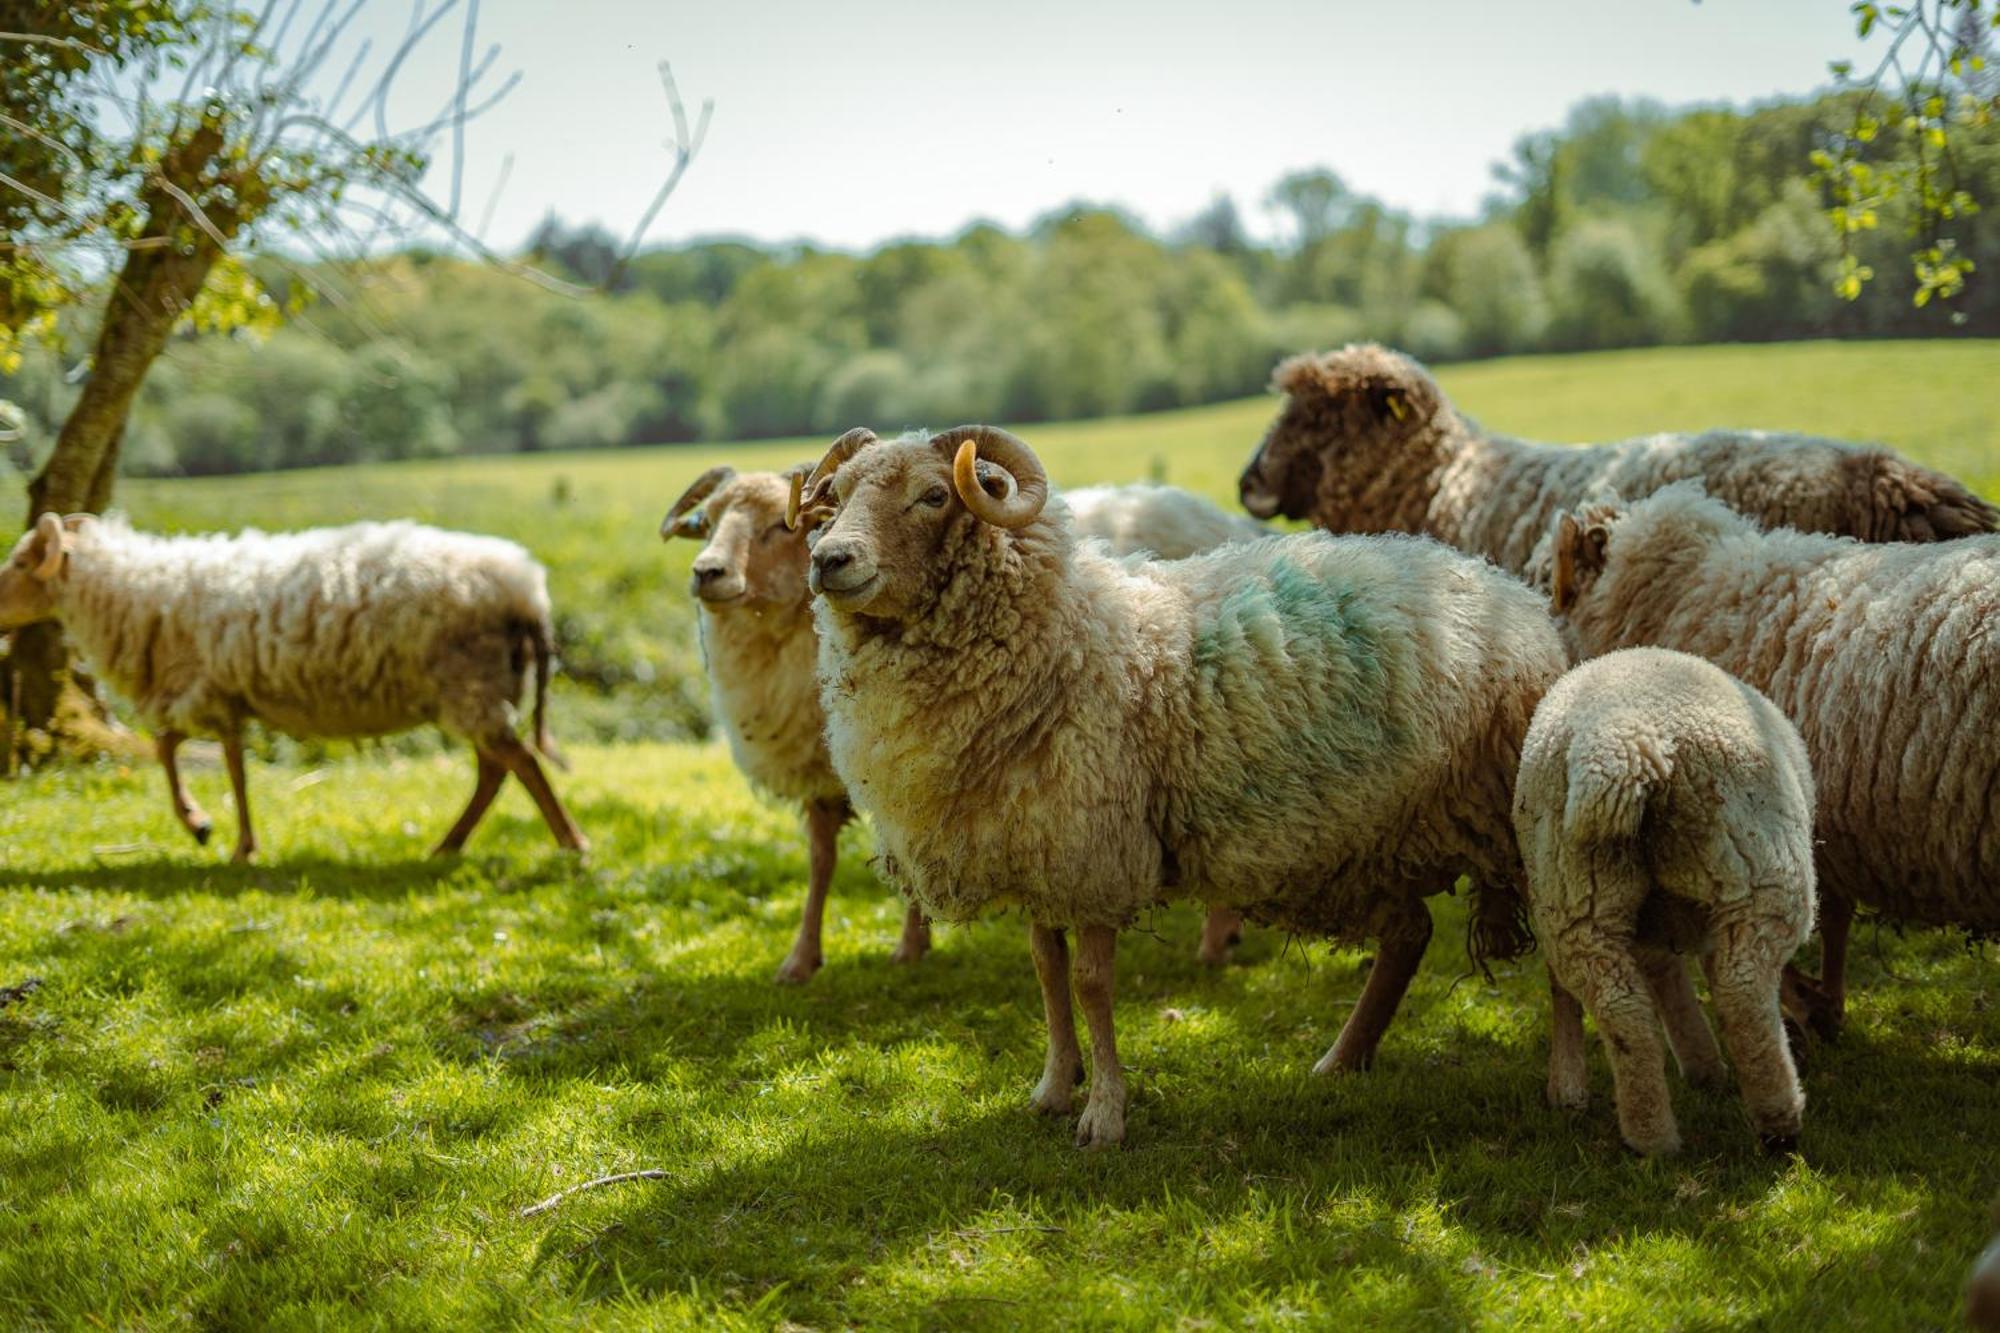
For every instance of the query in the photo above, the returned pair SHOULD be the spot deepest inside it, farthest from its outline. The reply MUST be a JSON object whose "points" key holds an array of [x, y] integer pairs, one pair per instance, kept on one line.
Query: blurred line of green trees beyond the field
{"points": [[1627, 227]]}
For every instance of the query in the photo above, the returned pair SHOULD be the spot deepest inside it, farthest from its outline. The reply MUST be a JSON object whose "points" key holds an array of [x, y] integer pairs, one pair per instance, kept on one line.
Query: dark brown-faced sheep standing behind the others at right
{"points": [[1369, 443]]}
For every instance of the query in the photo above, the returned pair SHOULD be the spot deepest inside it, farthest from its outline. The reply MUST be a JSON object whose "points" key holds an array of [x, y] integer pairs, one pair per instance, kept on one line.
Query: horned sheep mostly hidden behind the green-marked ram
{"points": [[761, 653]]}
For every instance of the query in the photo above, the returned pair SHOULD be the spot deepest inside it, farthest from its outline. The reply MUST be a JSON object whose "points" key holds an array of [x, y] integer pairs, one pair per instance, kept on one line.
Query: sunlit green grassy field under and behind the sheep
{"points": [[325, 1090]]}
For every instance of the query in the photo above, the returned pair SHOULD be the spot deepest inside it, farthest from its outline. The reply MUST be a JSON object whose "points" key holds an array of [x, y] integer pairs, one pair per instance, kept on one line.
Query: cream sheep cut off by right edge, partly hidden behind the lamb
{"points": [[1885, 657]]}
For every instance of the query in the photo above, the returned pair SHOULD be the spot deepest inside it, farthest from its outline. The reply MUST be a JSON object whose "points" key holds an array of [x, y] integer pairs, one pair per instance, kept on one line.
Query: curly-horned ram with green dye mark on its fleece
{"points": [[1317, 732]]}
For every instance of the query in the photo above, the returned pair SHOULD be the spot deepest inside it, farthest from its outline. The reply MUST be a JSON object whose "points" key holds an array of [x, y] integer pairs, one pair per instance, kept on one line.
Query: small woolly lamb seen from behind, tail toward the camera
{"points": [[1663, 806]]}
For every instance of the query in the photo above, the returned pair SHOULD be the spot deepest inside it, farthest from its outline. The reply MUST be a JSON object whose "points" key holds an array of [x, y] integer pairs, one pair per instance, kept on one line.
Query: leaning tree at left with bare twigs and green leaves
{"points": [[223, 137]]}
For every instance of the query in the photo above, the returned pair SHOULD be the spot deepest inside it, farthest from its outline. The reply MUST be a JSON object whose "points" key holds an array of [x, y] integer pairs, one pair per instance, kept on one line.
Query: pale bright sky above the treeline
{"points": [[853, 123]]}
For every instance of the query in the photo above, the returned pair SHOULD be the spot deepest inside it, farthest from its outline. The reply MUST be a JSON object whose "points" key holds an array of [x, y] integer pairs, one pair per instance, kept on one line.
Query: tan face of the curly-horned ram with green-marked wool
{"points": [[895, 507]]}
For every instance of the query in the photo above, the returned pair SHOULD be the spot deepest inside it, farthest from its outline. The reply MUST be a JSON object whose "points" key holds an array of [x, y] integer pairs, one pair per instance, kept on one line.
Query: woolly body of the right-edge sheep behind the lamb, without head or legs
{"points": [[1889, 661]]}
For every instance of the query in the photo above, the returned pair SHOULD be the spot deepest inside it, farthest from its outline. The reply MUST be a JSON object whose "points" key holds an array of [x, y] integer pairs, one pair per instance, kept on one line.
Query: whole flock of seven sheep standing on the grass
{"points": [[1661, 702]]}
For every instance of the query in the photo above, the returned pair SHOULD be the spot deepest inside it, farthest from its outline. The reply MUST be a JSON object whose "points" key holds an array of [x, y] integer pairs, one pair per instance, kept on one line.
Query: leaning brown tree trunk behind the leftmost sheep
{"points": [[155, 287]]}
